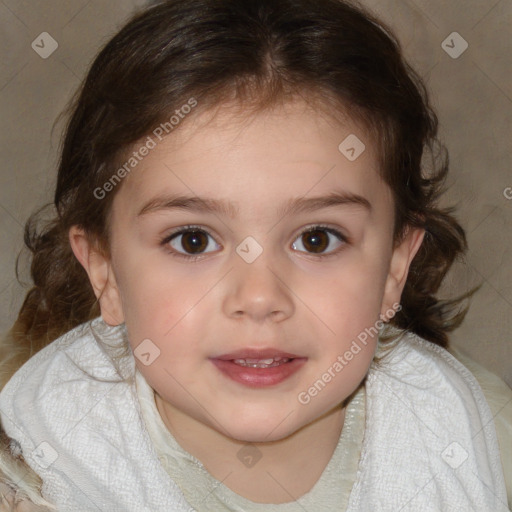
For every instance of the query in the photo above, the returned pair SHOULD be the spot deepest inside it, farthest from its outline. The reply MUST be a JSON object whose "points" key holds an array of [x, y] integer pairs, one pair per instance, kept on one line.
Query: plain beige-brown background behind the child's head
{"points": [[472, 93]]}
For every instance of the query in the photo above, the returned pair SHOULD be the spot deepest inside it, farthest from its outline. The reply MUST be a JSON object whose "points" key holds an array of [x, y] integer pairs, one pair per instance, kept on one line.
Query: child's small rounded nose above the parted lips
{"points": [[259, 291]]}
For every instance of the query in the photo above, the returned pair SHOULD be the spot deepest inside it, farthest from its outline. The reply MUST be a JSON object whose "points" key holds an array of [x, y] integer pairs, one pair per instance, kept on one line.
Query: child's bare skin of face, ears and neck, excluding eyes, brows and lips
{"points": [[288, 298]]}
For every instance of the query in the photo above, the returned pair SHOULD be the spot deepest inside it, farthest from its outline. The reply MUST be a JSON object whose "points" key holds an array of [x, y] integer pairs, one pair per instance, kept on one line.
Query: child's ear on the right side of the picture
{"points": [[399, 265]]}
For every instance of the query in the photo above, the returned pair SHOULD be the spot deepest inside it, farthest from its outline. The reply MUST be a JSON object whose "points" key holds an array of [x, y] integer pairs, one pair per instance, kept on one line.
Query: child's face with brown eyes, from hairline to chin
{"points": [[288, 252]]}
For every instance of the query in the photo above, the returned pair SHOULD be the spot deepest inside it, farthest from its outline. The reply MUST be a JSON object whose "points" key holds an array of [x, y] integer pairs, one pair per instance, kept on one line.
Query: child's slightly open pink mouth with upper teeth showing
{"points": [[258, 368]]}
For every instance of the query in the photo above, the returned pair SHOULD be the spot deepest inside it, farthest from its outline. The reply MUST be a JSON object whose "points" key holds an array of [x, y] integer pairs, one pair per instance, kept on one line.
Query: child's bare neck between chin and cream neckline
{"points": [[274, 478]]}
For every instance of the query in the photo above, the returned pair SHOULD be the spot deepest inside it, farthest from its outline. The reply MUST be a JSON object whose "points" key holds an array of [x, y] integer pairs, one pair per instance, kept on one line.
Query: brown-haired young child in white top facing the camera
{"points": [[235, 305]]}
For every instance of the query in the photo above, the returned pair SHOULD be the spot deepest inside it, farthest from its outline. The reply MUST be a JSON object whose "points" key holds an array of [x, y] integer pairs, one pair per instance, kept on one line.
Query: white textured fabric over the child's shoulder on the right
{"points": [[428, 421]]}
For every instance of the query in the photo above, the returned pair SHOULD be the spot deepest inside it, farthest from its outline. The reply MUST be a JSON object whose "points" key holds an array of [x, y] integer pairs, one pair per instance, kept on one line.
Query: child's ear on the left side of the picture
{"points": [[101, 276]]}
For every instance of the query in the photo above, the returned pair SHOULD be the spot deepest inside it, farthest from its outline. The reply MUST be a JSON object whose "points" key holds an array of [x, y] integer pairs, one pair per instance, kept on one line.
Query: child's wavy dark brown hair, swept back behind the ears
{"points": [[256, 52]]}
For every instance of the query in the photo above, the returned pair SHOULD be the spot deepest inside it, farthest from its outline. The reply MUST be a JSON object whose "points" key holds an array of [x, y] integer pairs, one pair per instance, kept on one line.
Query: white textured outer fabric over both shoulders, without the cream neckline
{"points": [[429, 442]]}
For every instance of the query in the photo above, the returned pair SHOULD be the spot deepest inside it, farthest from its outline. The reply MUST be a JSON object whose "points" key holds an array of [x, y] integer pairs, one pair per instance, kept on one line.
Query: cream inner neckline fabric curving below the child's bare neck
{"points": [[206, 494]]}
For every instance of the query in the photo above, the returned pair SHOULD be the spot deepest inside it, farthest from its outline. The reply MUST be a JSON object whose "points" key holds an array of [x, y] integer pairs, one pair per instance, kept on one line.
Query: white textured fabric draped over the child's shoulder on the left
{"points": [[80, 428]]}
